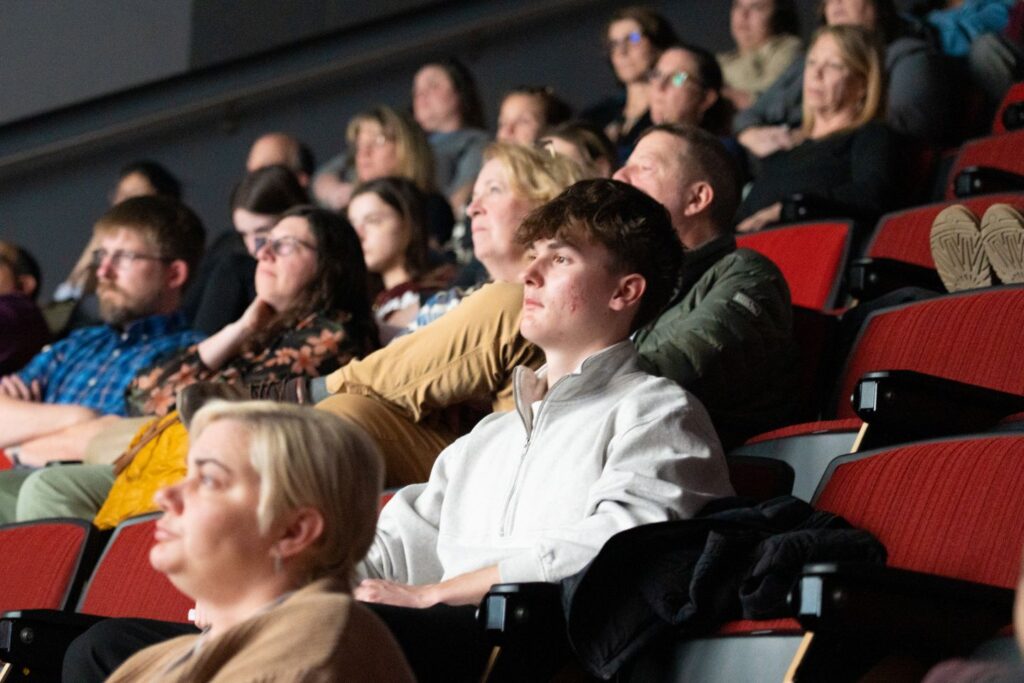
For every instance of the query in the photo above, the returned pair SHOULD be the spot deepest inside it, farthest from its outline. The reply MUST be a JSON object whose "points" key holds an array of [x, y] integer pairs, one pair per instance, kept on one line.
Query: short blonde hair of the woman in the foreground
{"points": [[309, 458]]}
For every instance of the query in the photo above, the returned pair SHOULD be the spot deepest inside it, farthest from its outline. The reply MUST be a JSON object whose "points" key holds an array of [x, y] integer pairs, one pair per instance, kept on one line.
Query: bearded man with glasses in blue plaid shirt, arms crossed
{"points": [[149, 246]]}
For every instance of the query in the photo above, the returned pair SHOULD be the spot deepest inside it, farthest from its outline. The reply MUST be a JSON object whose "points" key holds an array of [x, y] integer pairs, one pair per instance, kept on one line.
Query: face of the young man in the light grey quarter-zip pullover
{"points": [[570, 300]]}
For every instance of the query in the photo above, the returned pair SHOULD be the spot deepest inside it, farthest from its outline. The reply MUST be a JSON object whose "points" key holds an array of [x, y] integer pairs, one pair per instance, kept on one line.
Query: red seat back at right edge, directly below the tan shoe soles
{"points": [[976, 338]]}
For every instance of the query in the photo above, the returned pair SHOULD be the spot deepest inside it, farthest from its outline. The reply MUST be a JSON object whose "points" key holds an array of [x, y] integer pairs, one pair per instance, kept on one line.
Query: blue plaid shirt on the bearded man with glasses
{"points": [[94, 366]]}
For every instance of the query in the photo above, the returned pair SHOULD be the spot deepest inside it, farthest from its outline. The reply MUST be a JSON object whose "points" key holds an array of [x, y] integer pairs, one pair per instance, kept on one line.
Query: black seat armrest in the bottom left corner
{"points": [[36, 639]]}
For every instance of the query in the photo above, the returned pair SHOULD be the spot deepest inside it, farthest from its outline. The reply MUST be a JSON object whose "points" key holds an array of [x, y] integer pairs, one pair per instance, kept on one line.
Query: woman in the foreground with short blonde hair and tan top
{"points": [[265, 534]]}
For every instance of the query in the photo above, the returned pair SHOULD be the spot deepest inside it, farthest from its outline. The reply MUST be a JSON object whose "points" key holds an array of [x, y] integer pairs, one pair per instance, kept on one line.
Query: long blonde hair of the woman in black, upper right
{"points": [[863, 56]]}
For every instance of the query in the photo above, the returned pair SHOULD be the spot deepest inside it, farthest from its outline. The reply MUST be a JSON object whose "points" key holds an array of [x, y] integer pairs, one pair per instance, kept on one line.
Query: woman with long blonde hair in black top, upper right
{"points": [[847, 163]]}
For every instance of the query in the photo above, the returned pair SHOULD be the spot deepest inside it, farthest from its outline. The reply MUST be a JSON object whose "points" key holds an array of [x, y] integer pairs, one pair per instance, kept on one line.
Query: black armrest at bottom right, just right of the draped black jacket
{"points": [[910, 611]]}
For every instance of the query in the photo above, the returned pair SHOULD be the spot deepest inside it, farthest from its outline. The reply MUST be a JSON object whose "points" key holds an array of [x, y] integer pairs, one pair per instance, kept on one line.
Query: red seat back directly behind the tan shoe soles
{"points": [[904, 236]]}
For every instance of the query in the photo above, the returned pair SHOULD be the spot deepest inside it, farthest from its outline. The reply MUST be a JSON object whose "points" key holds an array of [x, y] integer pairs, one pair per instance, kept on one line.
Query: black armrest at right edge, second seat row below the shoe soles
{"points": [[903, 406]]}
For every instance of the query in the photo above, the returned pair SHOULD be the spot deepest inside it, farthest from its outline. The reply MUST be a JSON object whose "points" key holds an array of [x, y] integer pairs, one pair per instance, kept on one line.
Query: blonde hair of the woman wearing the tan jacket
{"points": [[535, 175]]}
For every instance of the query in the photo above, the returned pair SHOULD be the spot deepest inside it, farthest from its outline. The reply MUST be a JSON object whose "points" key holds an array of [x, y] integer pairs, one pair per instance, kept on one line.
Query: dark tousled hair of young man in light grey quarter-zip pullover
{"points": [[634, 229]]}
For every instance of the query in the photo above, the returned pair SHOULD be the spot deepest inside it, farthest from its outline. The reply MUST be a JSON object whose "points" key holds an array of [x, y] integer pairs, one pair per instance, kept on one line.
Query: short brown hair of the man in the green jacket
{"points": [[711, 162]]}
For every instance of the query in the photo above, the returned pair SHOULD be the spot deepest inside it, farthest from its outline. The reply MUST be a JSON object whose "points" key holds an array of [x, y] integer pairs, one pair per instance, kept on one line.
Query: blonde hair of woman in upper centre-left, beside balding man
{"points": [[416, 161]]}
